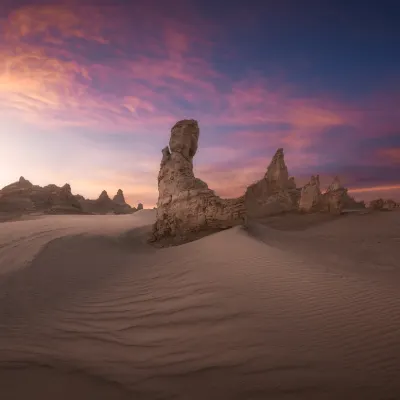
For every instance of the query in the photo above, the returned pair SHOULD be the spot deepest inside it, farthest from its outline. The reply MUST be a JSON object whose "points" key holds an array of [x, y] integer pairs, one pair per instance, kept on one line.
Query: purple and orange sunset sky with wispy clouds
{"points": [[90, 90]]}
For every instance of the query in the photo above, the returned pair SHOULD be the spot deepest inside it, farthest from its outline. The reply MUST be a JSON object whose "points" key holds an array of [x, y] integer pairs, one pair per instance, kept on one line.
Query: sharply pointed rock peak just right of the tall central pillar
{"points": [[275, 193]]}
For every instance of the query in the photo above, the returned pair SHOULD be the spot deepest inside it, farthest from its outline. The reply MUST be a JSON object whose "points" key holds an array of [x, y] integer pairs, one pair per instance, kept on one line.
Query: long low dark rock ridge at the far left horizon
{"points": [[23, 197]]}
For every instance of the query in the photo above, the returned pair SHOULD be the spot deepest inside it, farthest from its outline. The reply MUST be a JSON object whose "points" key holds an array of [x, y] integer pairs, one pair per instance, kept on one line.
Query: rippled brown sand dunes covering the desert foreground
{"points": [[268, 312]]}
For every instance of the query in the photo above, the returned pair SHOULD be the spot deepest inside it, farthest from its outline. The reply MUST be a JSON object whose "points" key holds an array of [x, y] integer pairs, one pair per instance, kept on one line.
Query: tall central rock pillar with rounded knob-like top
{"points": [[185, 203]]}
